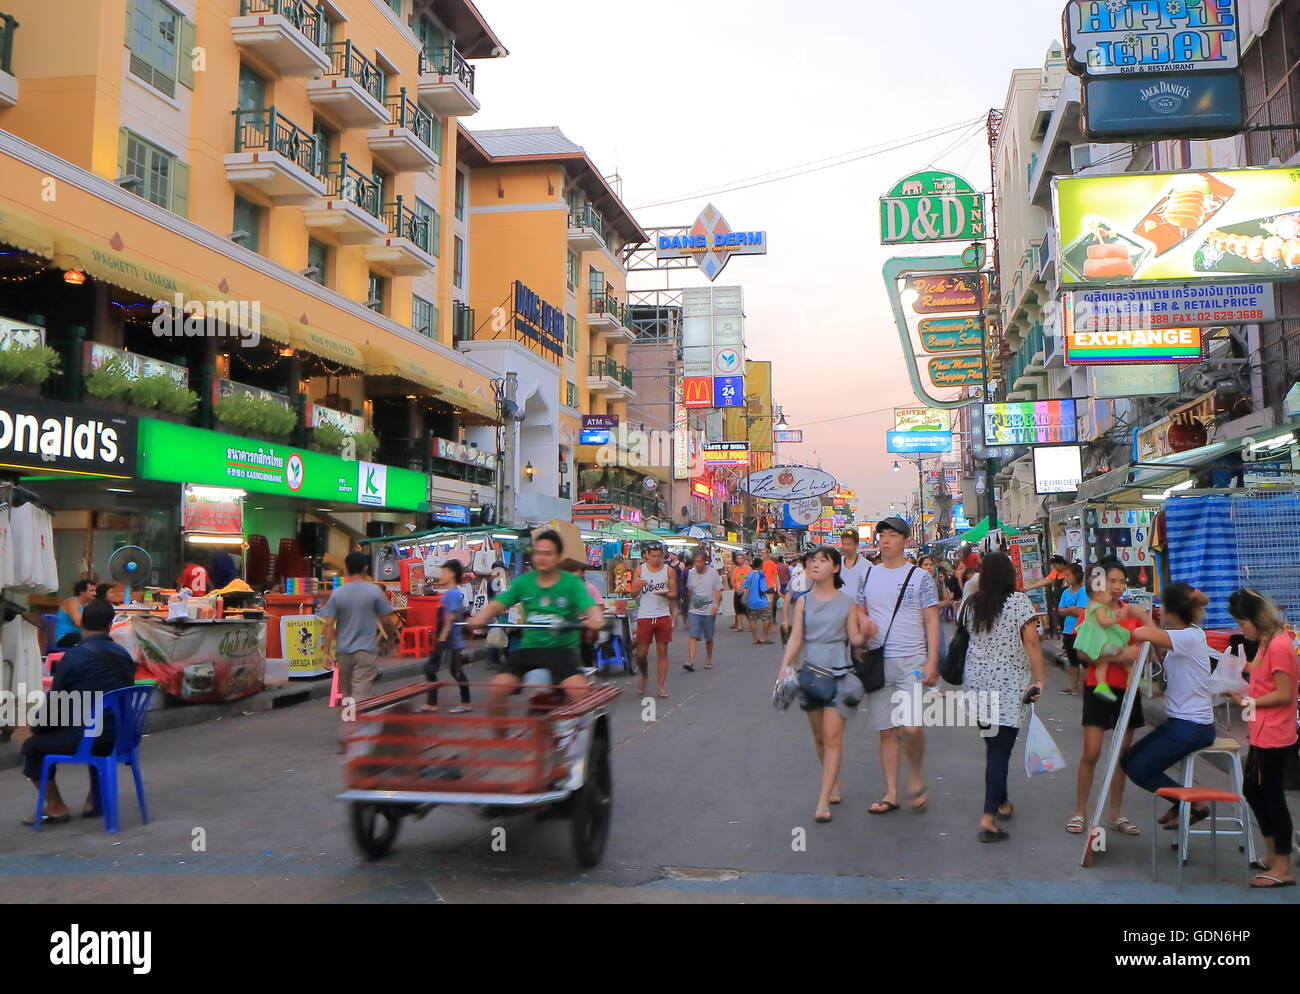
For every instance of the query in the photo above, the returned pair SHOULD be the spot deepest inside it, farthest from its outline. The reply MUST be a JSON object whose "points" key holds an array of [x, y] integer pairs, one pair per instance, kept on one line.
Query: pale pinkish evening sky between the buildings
{"points": [[687, 98]]}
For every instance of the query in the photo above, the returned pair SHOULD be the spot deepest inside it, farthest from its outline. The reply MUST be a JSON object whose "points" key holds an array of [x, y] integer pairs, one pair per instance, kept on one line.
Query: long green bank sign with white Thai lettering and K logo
{"points": [[190, 455]]}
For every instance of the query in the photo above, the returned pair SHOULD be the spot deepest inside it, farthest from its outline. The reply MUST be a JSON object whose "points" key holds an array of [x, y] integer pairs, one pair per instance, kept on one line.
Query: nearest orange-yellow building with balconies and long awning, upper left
{"points": [[291, 155]]}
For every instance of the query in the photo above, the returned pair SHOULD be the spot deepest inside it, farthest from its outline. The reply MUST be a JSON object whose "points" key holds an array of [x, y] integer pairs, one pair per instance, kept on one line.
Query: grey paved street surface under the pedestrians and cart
{"points": [[709, 798]]}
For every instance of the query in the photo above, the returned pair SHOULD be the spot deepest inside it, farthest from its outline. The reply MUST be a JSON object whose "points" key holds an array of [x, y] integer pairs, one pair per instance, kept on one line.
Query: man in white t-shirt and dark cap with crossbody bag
{"points": [[912, 658]]}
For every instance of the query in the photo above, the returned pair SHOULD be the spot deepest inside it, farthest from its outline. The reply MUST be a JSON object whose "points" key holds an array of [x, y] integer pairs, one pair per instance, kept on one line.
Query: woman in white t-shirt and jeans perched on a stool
{"points": [[1189, 702]]}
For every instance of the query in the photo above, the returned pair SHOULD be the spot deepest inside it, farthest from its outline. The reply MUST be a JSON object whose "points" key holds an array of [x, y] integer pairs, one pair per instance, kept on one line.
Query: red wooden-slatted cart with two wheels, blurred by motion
{"points": [[540, 752]]}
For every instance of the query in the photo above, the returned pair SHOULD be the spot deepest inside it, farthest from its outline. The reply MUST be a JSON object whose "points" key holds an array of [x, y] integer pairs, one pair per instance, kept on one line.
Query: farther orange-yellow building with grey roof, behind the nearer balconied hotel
{"points": [[547, 231]]}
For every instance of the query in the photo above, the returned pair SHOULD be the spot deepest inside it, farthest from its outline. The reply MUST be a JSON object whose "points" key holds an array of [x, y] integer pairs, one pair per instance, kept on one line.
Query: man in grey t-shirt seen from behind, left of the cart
{"points": [[356, 611]]}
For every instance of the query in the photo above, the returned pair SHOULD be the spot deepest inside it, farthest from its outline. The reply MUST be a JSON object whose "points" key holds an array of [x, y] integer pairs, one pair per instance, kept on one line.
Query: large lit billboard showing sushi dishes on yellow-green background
{"points": [[1137, 228]]}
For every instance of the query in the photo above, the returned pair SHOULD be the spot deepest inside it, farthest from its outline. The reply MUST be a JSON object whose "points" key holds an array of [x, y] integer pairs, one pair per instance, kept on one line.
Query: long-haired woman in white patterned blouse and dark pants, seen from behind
{"points": [[1003, 662]]}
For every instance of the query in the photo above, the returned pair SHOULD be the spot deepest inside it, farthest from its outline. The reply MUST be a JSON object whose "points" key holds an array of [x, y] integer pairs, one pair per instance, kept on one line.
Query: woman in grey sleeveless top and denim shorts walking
{"points": [[825, 627]]}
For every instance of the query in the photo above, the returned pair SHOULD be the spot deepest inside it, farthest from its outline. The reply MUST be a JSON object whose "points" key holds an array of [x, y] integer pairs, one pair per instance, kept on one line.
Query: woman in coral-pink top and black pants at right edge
{"points": [[1271, 711]]}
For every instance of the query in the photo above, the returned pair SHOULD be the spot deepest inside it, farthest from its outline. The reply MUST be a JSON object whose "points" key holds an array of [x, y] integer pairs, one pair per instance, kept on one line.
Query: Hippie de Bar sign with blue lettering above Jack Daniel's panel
{"points": [[1139, 37]]}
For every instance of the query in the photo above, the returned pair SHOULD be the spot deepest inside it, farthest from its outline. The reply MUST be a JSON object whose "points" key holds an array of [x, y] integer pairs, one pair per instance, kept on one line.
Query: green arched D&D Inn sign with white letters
{"points": [[931, 207]]}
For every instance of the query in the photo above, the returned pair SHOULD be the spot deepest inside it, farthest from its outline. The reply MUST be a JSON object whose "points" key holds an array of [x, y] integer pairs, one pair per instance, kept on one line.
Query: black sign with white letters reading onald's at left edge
{"points": [[66, 439]]}
